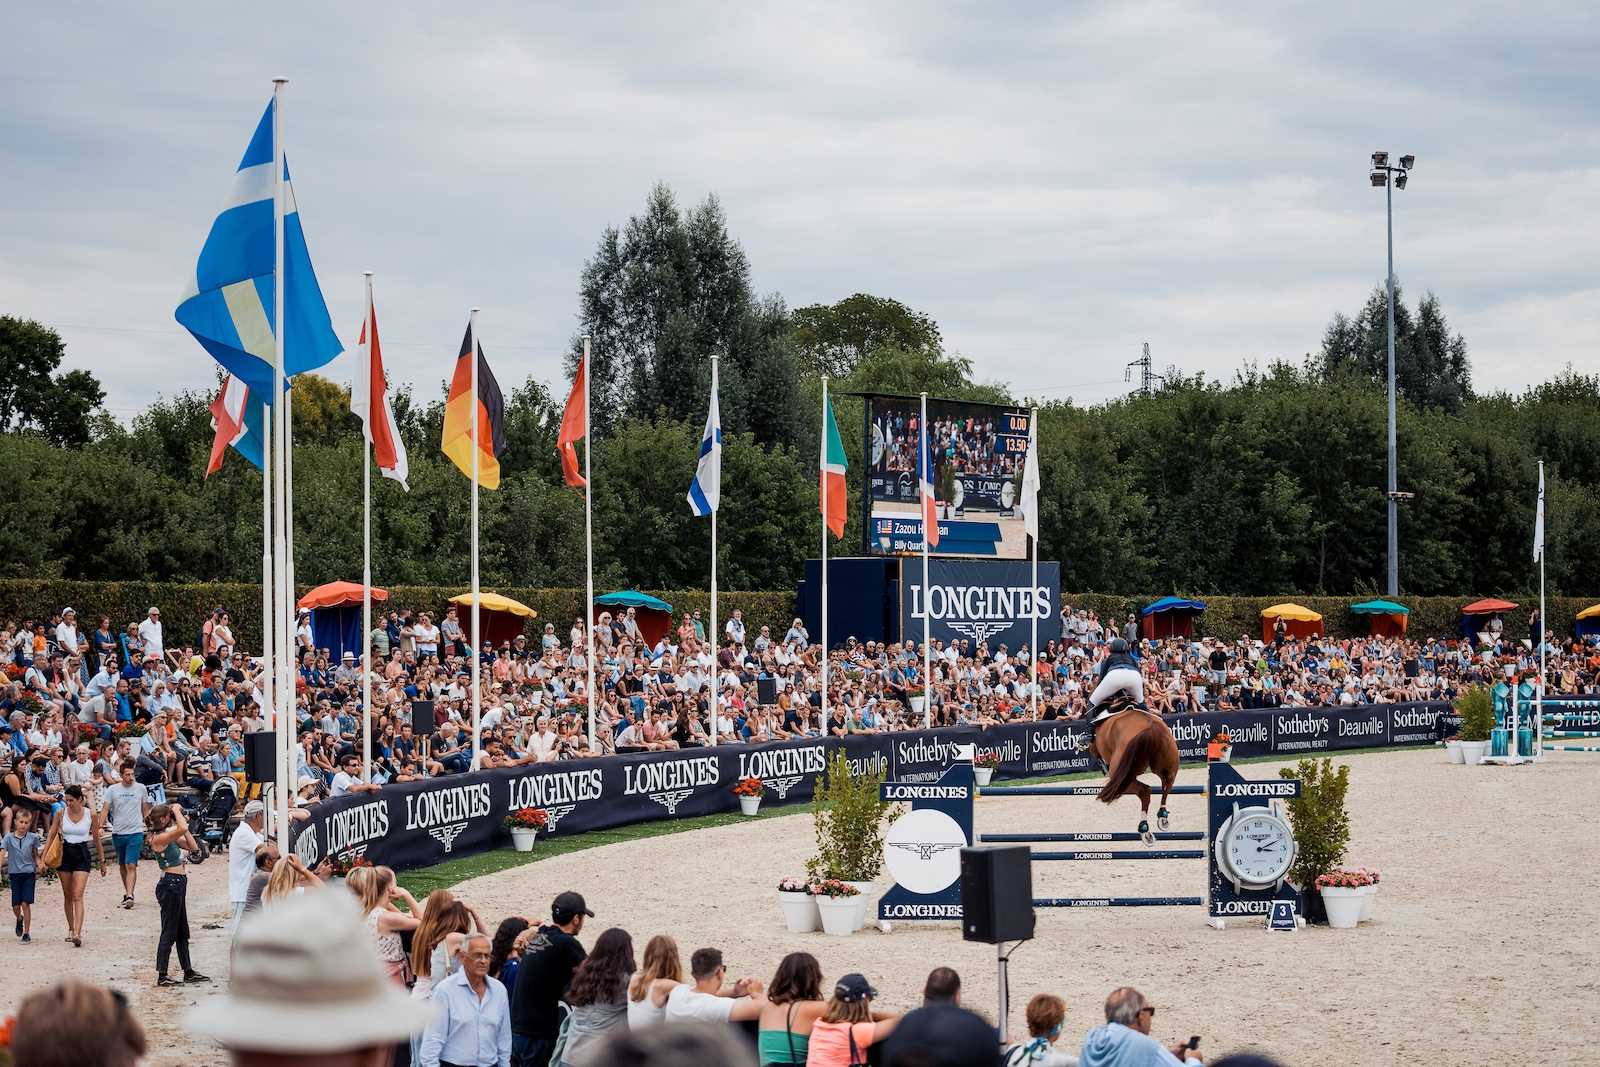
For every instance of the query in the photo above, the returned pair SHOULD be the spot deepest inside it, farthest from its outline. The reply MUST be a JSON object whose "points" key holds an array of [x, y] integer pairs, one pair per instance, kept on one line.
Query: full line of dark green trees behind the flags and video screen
{"points": [[1268, 484]]}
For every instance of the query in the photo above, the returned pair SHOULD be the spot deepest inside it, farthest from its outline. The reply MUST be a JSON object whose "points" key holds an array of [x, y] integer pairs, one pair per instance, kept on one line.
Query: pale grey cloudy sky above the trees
{"points": [[1055, 183]]}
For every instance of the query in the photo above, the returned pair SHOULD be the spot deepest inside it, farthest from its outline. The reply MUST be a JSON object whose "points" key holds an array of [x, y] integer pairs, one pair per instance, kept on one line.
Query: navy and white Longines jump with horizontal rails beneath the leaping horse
{"points": [[922, 849]]}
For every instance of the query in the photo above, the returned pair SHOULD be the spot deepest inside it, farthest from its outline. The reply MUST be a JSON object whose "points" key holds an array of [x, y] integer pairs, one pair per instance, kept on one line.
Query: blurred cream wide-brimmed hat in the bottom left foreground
{"points": [[308, 980]]}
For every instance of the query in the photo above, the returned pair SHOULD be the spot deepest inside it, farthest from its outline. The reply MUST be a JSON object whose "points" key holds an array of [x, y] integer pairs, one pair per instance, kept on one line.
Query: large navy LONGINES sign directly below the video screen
{"points": [[982, 601]]}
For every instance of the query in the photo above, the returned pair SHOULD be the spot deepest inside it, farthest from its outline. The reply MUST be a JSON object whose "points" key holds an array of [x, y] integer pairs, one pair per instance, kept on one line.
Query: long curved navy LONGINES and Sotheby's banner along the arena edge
{"points": [[420, 825]]}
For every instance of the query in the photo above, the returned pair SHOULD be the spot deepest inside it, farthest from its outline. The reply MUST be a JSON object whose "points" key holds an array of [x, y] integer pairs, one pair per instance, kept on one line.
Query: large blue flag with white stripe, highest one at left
{"points": [[230, 302]]}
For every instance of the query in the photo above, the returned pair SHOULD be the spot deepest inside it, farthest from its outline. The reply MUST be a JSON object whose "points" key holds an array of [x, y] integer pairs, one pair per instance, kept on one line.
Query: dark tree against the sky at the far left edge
{"points": [[58, 407]]}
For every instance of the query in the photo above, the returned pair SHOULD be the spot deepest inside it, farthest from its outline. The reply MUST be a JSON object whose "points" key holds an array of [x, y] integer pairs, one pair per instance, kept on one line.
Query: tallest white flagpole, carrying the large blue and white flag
{"points": [[286, 689]]}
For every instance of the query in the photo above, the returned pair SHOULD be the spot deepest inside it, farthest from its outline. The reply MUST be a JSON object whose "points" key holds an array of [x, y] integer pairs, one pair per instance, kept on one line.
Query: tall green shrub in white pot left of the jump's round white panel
{"points": [[849, 820]]}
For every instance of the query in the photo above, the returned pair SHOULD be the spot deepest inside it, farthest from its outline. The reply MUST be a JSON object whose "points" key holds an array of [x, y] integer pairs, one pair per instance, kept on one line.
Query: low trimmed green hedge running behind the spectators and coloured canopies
{"points": [[185, 607]]}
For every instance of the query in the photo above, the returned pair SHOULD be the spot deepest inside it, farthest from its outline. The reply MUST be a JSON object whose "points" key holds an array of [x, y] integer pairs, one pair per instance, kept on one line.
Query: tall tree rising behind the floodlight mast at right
{"points": [[1431, 367]]}
